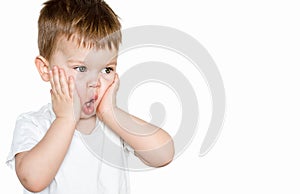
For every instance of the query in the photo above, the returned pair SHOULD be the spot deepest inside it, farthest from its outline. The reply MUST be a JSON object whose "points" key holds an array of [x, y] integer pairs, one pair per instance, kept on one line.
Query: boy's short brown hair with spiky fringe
{"points": [[92, 22]]}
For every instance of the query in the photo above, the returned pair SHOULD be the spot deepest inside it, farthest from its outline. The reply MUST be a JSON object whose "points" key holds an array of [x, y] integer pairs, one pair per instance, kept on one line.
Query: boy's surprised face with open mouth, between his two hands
{"points": [[93, 71]]}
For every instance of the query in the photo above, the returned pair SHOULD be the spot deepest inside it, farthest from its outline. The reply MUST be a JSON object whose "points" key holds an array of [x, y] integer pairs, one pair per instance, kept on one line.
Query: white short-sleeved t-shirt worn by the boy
{"points": [[89, 167]]}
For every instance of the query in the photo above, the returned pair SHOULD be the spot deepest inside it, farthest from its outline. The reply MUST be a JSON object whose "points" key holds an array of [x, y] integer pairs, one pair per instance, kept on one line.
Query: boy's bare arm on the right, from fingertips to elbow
{"points": [[151, 144]]}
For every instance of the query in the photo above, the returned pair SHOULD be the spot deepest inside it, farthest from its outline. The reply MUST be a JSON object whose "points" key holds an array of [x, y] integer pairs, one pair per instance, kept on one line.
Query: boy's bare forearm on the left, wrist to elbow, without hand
{"points": [[37, 168]]}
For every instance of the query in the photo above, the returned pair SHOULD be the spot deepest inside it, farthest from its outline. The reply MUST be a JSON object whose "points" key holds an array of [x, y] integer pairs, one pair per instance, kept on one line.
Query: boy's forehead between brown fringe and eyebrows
{"points": [[73, 51]]}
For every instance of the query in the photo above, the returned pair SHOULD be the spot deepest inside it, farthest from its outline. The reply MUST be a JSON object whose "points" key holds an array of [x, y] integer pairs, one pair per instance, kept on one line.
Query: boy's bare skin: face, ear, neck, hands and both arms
{"points": [[83, 87]]}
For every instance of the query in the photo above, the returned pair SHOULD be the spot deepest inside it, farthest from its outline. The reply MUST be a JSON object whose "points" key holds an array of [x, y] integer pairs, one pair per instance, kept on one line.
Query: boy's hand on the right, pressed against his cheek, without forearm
{"points": [[108, 101]]}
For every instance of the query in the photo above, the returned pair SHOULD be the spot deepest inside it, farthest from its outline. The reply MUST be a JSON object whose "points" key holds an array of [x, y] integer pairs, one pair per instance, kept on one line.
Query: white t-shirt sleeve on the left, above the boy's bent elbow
{"points": [[26, 135]]}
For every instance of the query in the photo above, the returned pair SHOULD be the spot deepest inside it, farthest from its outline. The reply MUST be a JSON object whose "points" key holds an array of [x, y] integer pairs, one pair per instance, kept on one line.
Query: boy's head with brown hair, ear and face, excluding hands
{"points": [[82, 37]]}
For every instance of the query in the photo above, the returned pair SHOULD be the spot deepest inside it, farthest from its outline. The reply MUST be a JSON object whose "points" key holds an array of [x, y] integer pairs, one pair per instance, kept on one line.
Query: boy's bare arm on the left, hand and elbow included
{"points": [[37, 168]]}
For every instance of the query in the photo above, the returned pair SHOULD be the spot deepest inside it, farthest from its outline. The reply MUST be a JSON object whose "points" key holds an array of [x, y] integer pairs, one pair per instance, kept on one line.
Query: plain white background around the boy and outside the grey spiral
{"points": [[255, 45]]}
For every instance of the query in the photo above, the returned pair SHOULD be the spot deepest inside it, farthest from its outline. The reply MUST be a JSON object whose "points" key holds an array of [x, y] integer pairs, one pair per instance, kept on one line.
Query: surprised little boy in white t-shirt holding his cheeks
{"points": [[78, 43]]}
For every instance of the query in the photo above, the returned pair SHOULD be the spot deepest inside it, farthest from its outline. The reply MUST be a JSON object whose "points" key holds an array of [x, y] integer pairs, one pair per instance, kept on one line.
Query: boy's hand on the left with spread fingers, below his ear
{"points": [[65, 100]]}
